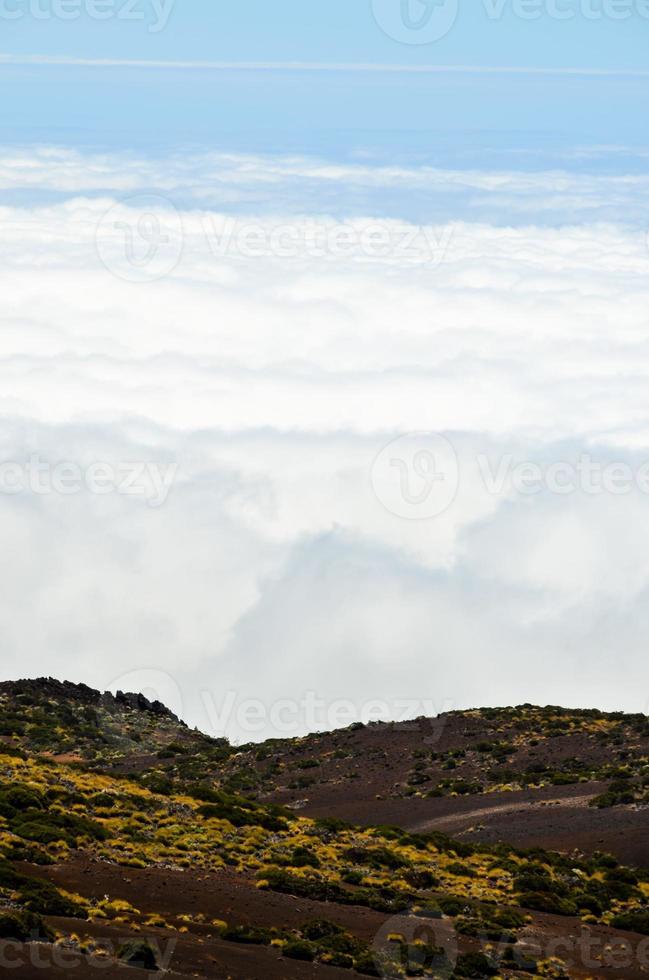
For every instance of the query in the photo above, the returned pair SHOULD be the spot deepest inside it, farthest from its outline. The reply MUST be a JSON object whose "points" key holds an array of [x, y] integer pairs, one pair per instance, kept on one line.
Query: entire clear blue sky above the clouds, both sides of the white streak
{"points": [[334, 113]]}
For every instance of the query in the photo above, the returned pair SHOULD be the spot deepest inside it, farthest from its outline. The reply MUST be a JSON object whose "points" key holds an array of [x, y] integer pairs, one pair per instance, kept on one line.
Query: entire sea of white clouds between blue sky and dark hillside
{"points": [[272, 381]]}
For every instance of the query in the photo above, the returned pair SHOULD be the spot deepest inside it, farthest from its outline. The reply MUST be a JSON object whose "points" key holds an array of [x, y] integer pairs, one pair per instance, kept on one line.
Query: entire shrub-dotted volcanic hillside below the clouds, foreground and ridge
{"points": [[115, 848]]}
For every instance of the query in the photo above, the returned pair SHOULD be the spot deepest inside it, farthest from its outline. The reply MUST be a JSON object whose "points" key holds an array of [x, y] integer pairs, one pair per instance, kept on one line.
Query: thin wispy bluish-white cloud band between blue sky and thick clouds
{"points": [[298, 186]]}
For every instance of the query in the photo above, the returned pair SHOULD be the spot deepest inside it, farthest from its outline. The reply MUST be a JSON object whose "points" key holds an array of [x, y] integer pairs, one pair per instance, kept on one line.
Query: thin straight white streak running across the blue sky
{"points": [[37, 60]]}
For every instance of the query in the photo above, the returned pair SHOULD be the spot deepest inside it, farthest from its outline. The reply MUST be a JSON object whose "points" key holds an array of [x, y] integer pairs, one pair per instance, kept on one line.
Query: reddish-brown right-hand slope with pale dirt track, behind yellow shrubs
{"points": [[524, 775]]}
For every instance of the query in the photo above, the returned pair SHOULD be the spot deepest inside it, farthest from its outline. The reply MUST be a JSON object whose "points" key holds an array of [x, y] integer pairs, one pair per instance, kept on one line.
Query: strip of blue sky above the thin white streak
{"points": [[344, 31]]}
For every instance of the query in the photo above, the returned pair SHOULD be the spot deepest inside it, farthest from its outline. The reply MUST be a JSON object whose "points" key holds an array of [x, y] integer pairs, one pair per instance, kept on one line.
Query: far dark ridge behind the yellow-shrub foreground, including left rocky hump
{"points": [[528, 776]]}
